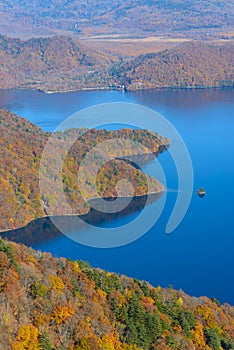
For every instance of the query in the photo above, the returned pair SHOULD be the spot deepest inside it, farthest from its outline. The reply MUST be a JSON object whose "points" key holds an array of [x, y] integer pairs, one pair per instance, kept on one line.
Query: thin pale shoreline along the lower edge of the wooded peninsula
{"points": [[88, 212]]}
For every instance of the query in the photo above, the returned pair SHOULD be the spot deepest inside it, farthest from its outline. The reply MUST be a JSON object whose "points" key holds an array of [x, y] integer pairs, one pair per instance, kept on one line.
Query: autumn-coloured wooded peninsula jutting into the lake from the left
{"points": [[21, 148]]}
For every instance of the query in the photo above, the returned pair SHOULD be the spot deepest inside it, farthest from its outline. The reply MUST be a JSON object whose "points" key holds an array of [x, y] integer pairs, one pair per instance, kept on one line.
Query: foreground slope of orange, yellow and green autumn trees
{"points": [[48, 303]]}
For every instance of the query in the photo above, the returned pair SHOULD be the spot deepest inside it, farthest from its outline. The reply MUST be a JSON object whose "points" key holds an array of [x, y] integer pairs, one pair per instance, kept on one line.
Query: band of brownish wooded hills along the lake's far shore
{"points": [[61, 64]]}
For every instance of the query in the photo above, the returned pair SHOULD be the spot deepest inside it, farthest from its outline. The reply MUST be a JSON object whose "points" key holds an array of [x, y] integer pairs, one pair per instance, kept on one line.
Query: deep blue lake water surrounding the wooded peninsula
{"points": [[198, 256]]}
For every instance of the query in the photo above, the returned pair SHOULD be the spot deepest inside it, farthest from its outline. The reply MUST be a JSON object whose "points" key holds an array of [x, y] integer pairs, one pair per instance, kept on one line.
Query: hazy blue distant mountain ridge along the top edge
{"points": [[124, 16]]}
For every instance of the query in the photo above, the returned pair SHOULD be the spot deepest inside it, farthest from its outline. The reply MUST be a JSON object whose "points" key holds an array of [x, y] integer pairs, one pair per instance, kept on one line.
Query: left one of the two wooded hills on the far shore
{"points": [[57, 63]]}
